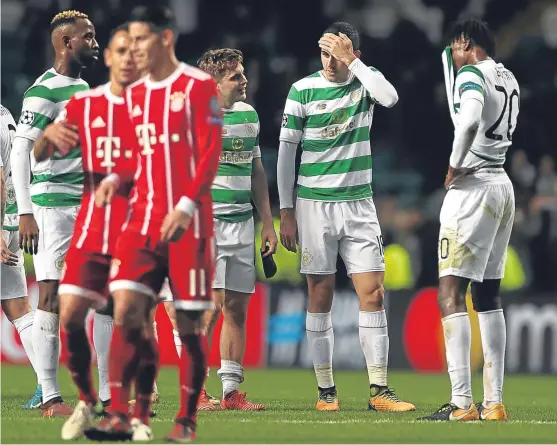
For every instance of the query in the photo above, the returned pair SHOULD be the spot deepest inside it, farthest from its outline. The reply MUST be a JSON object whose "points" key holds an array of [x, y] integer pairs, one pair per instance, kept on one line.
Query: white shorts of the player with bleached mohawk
{"points": [[56, 226]]}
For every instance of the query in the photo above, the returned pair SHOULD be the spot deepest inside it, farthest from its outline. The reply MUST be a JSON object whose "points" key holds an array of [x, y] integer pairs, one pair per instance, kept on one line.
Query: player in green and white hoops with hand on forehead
{"points": [[330, 113]]}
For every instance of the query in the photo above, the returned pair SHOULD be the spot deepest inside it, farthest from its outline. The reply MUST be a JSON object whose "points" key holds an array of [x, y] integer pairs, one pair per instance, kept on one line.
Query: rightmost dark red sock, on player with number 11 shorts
{"points": [[193, 365]]}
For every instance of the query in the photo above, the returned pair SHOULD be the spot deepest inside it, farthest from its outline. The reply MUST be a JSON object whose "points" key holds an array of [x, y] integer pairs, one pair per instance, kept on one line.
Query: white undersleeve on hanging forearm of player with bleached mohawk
{"points": [[21, 174]]}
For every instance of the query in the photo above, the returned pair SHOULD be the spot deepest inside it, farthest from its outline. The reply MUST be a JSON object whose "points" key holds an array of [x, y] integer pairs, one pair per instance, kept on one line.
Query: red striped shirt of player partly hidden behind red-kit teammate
{"points": [[108, 145]]}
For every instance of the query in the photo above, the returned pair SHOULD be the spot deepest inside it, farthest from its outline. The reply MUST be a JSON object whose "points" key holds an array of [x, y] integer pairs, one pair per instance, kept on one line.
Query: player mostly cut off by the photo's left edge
{"points": [[15, 302]]}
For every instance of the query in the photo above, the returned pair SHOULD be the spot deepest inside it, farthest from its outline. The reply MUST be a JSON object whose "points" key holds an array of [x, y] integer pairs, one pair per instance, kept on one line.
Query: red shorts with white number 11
{"points": [[142, 262]]}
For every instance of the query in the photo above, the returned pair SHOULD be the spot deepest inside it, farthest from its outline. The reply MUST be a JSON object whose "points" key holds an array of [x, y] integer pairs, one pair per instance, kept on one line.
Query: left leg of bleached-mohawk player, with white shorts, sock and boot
{"points": [[56, 228]]}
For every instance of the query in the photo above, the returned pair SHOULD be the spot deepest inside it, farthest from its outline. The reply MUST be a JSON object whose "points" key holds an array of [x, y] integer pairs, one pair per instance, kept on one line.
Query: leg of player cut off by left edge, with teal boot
{"points": [[15, 304]]}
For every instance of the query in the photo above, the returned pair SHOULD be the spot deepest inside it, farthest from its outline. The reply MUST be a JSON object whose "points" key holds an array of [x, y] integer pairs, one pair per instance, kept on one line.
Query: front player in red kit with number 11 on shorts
{"points": [[177, 119]]}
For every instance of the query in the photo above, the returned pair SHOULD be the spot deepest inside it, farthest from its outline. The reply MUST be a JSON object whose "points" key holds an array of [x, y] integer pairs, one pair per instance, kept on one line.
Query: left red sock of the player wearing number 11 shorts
{"points": [[122, 366]]}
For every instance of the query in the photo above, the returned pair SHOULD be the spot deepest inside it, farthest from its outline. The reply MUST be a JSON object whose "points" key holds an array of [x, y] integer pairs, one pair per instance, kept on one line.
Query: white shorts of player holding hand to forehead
{"points": [[350, 228]]}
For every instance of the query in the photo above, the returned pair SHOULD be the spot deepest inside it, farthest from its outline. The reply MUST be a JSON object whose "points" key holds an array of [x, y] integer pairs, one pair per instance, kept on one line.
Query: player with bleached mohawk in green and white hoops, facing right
{"points": [[52, 199]]}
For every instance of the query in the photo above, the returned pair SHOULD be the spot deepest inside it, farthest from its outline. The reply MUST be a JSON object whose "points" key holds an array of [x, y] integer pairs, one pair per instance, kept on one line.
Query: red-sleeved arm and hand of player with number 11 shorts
{"points": [[206, 125]]}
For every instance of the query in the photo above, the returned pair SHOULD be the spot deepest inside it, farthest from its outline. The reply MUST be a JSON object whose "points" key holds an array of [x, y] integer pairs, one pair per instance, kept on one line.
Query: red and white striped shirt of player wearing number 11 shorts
{"points": [[178, 124]]}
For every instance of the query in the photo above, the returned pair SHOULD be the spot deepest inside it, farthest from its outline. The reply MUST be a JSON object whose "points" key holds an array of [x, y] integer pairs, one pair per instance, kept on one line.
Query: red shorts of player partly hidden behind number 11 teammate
{"points": [[86, 275]]}
